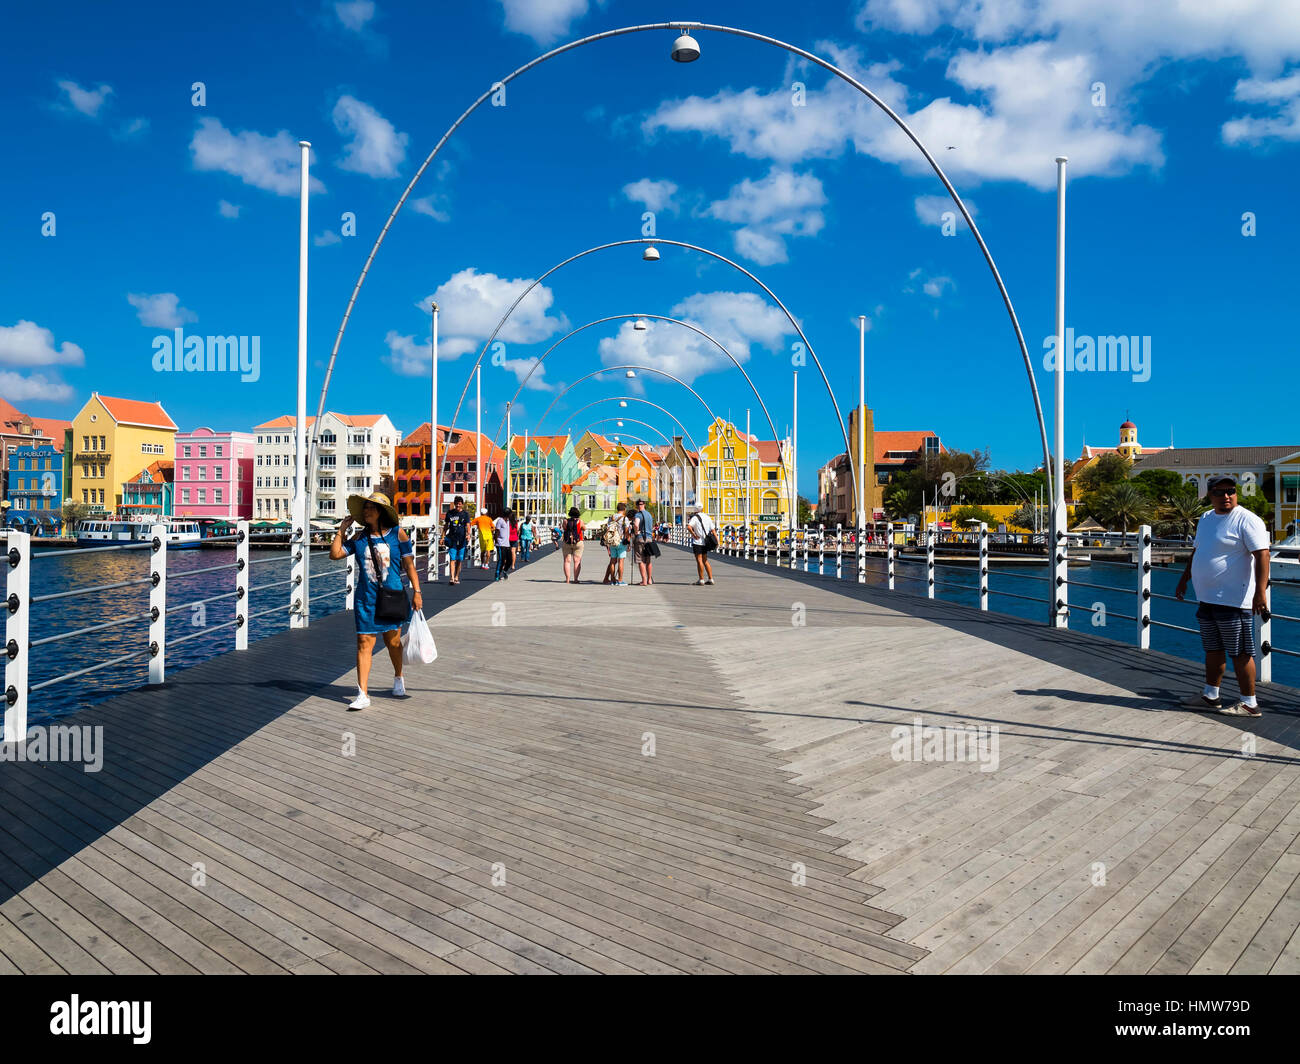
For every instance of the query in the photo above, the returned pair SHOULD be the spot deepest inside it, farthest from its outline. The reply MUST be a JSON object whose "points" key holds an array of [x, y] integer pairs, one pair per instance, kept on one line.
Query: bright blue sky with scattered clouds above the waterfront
{"points": [[1178, 119]]}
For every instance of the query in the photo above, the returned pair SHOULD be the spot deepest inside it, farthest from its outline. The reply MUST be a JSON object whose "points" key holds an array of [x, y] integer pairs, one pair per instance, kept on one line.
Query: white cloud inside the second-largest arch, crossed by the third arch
{"points": [[736, 319]]}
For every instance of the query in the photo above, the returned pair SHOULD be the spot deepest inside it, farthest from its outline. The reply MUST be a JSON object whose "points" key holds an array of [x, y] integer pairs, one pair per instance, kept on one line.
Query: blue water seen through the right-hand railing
{"points": [[1120, 596]]}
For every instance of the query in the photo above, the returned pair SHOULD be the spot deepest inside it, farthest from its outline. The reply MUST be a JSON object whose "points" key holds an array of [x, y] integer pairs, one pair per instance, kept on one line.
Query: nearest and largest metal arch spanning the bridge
{"points": [[749, 36]]}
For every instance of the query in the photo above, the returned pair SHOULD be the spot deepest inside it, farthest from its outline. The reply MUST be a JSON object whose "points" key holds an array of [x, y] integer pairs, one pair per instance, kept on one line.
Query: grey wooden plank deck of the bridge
{"points": [[510, 816]]}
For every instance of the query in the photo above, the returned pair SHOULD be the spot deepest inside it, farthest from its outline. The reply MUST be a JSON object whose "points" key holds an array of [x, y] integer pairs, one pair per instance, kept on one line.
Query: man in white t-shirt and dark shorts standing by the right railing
{"points": [[1229, 569]]}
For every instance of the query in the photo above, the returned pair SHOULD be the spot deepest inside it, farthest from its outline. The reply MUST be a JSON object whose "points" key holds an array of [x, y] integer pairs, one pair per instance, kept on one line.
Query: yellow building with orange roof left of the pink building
{"points": [[112, 442]]}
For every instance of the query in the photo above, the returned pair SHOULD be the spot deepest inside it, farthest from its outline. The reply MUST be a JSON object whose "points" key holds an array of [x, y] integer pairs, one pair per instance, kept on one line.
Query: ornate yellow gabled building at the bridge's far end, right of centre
{"points": [[744, 481]]}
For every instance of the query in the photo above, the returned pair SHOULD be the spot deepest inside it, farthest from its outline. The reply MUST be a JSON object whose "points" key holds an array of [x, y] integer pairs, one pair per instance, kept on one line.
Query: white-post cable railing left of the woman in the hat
{"points": [[20, 602]]}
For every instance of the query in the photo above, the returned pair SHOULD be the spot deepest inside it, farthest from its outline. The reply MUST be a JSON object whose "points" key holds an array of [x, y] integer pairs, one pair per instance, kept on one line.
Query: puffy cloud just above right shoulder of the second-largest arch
{"points": [[781, 205]]}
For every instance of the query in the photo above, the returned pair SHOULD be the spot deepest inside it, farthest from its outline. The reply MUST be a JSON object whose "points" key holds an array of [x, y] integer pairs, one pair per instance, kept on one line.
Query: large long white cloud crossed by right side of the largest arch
{"points": [[1030, 103]]}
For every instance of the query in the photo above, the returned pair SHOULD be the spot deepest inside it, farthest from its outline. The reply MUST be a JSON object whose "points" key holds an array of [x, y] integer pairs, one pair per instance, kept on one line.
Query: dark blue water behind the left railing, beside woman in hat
{"points": [[72, 572]]}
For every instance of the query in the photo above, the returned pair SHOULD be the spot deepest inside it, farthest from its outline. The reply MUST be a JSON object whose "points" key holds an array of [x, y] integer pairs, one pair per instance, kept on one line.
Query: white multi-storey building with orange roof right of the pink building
{"points": [[356, 451]]}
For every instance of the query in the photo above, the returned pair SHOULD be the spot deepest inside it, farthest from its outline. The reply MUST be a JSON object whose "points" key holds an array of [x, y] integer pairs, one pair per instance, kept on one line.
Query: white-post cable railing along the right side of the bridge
{"points": [[794, 547]]}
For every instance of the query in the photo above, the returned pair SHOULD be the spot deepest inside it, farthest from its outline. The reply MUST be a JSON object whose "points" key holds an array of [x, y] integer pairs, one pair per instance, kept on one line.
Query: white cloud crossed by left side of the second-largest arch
{"points": [[473, 304]]}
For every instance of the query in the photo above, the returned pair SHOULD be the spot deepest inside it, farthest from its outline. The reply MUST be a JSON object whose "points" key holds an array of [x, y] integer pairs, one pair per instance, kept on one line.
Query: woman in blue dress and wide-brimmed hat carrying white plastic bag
{"points": [[383, 553]]}
